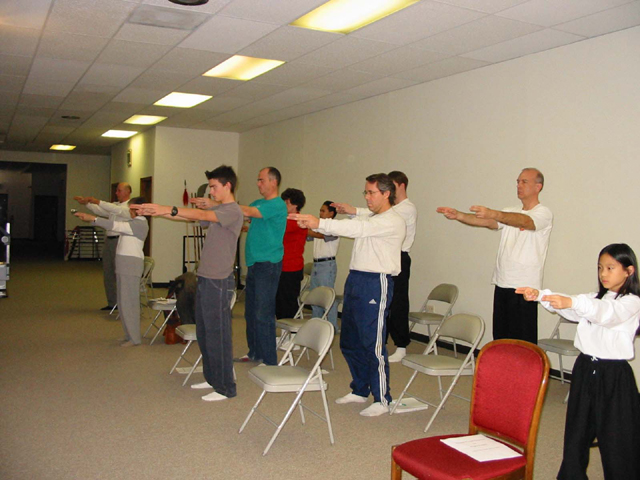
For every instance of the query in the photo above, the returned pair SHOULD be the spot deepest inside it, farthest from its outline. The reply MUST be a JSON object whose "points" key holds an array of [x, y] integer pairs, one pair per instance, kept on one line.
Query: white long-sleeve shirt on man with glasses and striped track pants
{"points": [[378, 240]]}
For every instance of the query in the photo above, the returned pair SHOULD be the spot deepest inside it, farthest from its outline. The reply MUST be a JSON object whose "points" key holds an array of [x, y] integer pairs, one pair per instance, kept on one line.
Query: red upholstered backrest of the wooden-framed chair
{"points": [[509, 386]]}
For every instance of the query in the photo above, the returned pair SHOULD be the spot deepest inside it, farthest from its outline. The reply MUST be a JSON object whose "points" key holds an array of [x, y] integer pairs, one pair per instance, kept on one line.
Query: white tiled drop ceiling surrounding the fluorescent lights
{"points": [[105, 60]]}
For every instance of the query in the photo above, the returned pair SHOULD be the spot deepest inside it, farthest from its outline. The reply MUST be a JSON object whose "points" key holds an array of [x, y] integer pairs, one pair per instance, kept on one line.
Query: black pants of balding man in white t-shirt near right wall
{"points": [[513, 316]]}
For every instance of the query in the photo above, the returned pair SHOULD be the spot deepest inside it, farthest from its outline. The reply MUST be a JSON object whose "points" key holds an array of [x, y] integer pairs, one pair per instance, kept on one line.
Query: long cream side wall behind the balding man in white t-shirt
{"points": [[462, 140]]}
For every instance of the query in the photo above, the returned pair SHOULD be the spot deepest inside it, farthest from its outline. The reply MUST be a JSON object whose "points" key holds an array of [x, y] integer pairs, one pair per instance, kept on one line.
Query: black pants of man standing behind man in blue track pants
{"points": [[398, 321]]}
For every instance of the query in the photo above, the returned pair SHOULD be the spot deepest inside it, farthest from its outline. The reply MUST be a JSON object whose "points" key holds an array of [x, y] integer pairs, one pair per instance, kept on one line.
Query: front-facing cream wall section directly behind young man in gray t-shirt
{"points": [[182, 154]]}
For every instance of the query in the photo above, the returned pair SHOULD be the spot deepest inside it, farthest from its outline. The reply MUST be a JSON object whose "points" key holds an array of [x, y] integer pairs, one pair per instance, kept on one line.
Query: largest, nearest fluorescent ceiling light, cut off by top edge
{"points": [[345, 16]]}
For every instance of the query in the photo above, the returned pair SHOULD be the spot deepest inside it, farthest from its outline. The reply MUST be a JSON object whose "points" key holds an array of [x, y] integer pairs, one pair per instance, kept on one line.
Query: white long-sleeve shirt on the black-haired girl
{"points": [[606, 327]]}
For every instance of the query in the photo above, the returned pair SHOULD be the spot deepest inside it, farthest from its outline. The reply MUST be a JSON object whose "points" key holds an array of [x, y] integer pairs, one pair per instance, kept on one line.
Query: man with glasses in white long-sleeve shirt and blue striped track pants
{"points": [[375, 259]]}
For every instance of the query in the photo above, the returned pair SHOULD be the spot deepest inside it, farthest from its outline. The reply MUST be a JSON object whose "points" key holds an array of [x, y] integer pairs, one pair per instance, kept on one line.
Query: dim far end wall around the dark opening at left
{"points": [[86, 175]]}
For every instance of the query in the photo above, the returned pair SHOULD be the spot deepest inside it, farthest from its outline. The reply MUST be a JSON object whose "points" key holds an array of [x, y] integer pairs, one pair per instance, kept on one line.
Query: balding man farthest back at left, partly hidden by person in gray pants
{"points": [[116, 211]]}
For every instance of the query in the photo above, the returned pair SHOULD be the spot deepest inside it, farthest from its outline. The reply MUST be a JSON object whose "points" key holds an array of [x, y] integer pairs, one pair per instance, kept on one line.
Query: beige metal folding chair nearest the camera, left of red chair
{"points": [[287, 377]]}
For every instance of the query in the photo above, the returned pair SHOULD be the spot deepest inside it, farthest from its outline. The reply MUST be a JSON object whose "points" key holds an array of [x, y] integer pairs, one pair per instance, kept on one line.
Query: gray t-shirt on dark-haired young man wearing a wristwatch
{"points": [[219, 252]]}
